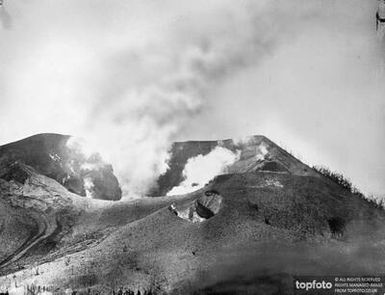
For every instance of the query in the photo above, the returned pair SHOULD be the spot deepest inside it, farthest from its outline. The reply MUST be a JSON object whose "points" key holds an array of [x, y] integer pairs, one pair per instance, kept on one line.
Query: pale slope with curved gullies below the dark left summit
{"points": [[34, 213]]}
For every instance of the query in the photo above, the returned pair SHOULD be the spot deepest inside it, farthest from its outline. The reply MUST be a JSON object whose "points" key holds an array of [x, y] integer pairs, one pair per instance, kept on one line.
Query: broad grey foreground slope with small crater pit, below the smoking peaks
{"points": [[245, 232]]}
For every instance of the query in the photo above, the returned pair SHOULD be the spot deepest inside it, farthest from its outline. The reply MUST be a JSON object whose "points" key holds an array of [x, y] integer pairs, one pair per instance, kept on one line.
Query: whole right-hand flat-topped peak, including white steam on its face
{"points": [[254, 153]]}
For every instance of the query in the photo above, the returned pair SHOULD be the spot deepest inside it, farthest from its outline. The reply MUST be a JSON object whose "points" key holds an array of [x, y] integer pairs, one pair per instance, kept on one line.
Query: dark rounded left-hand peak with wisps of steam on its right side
{"points": [[49, 155]]}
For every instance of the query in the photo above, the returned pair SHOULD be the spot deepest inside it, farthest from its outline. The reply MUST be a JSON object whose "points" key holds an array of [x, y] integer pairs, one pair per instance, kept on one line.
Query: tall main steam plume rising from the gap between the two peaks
{"points": [[172, 83]]}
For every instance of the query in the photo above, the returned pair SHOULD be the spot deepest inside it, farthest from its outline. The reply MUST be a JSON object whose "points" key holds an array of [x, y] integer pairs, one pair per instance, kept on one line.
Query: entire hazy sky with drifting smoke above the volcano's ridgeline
{"points": [[133, 76]]}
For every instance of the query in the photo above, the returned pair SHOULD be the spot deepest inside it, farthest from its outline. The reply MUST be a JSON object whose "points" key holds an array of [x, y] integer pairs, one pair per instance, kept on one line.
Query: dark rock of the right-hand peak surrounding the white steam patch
{"points": [[257, 153]]}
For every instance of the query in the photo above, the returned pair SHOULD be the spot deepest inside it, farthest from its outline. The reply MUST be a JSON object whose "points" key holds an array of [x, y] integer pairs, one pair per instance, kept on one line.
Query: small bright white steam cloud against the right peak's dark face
{"points": [[201, 169]]}
